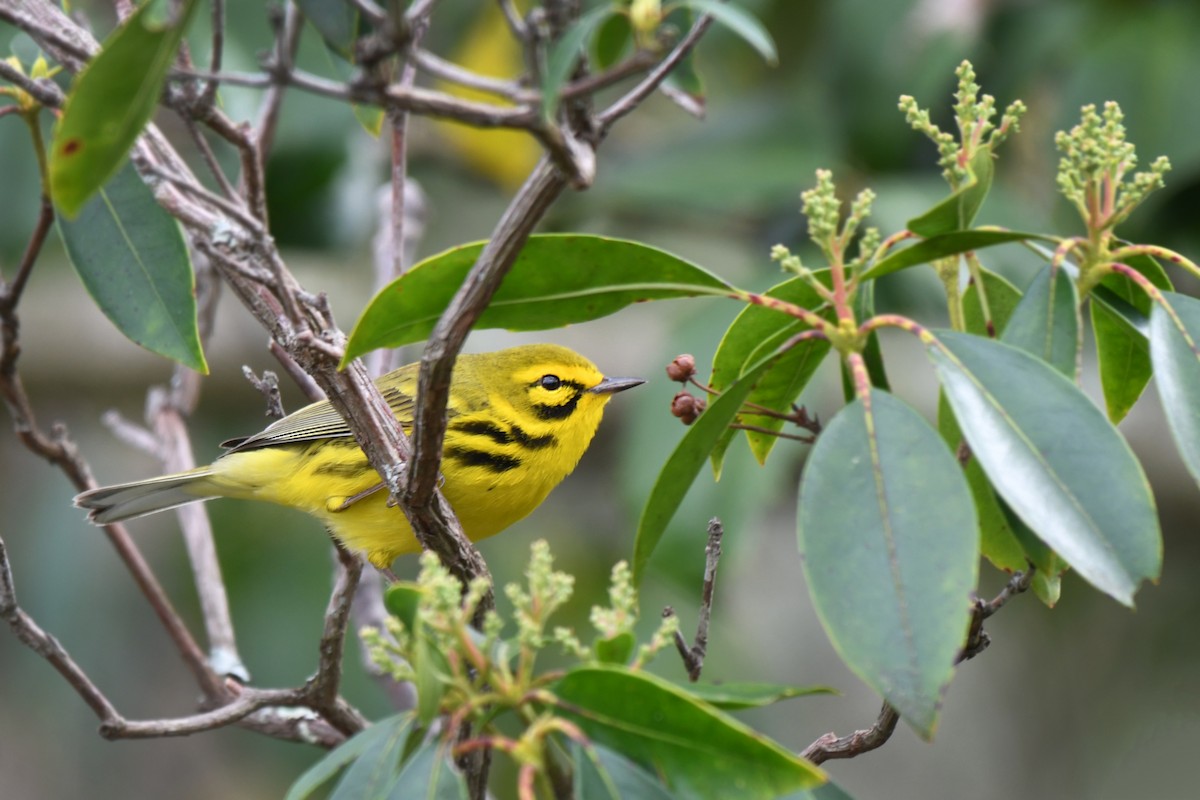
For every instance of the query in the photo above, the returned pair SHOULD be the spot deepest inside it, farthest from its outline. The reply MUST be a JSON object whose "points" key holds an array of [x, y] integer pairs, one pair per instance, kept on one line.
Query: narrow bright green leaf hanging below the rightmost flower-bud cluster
{"points": [[1123, 350]]}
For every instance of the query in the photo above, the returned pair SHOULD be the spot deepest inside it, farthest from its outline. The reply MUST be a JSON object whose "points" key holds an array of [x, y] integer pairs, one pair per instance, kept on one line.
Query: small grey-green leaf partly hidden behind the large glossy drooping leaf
{"points": [[1046, 324]]}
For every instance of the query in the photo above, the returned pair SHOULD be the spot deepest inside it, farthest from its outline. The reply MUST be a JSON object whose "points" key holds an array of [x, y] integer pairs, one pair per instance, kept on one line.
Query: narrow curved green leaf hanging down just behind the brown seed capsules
{"points": [[685, 465]]}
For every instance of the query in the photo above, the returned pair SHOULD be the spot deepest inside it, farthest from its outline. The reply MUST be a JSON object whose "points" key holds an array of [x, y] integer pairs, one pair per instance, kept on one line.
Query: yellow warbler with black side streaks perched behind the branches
{"points": [[519, 424]]}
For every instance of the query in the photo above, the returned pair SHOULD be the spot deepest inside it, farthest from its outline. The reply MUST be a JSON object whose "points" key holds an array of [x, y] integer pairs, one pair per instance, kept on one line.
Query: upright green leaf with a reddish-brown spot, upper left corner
{"points": [[111, 103]]}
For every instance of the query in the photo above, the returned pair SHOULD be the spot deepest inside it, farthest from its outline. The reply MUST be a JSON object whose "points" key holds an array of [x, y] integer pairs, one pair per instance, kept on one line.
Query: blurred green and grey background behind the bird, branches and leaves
{"points": [[1085, 701]]}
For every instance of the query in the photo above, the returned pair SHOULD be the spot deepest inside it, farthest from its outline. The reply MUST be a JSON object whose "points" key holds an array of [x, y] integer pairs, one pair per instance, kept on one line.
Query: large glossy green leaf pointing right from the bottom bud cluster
{"points": [[704, 753]]}
